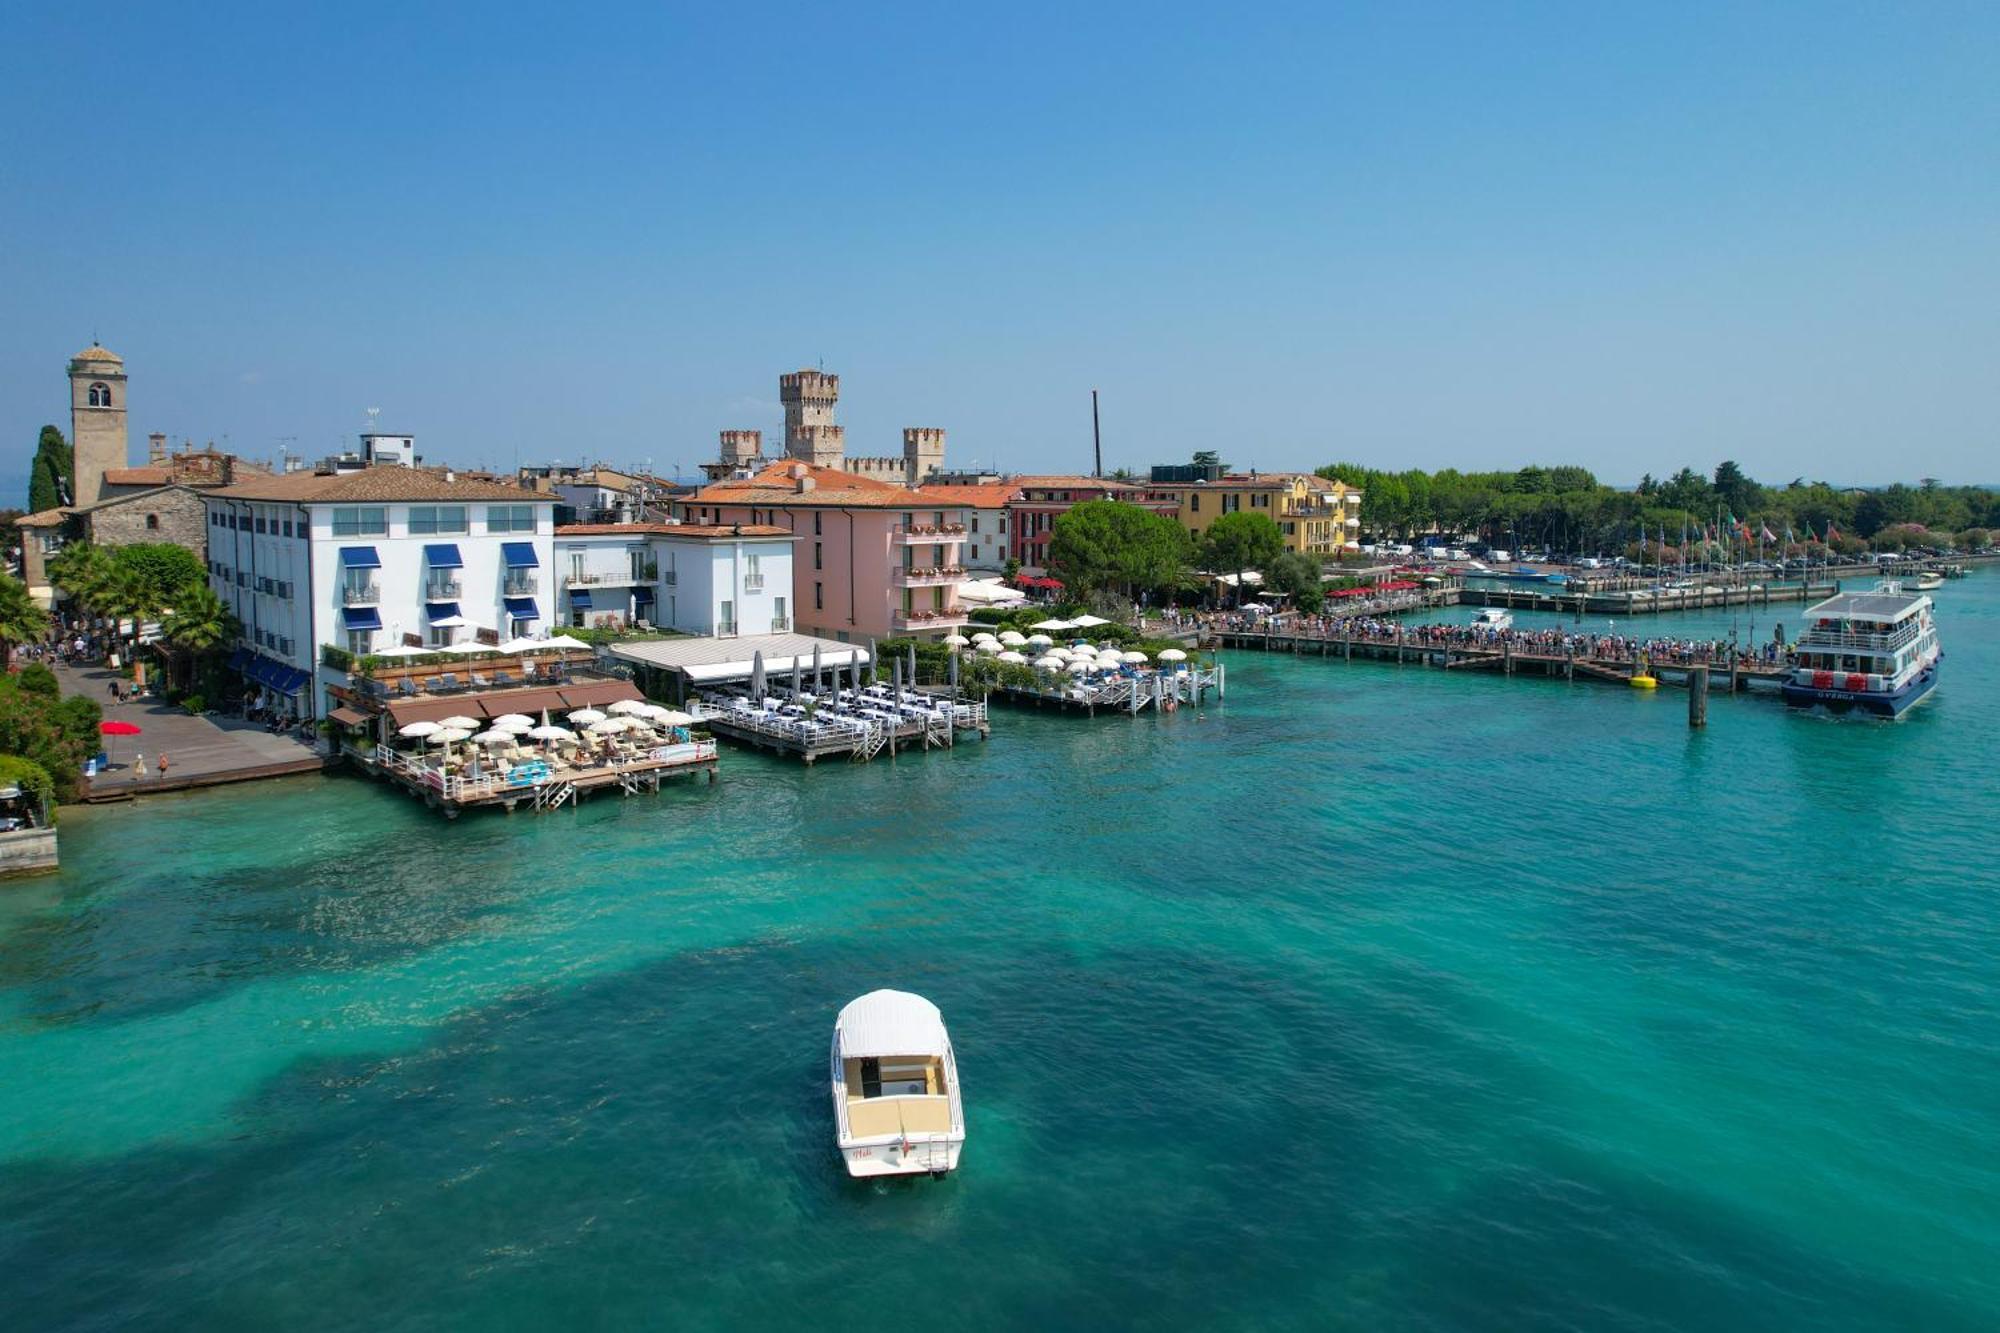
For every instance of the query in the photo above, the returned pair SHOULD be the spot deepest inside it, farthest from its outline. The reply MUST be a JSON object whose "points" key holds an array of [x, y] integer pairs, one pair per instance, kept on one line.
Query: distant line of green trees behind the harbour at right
{"points": [[1571, 509]]}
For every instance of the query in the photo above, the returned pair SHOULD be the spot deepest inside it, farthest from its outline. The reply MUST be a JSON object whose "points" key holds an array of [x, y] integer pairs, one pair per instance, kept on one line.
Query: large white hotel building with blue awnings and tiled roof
{"points": [[375, 559]]}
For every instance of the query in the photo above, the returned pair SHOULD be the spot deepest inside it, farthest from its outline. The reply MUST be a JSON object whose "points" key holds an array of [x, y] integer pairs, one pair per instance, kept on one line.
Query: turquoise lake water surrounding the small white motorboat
{"points": [[1375, 998]]}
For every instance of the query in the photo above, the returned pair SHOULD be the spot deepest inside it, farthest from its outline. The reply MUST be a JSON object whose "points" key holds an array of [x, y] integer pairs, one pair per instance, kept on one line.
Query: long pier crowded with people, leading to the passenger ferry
{"points": [[1509, 659]]}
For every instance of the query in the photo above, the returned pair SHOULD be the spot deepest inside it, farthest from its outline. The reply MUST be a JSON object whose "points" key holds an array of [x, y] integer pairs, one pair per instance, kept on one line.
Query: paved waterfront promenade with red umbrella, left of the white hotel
{"points": [[203, 752]]}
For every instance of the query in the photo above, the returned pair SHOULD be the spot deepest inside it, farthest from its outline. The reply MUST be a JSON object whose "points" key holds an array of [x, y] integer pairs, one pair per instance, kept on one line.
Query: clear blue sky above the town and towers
{"points": [[1627, 237]]}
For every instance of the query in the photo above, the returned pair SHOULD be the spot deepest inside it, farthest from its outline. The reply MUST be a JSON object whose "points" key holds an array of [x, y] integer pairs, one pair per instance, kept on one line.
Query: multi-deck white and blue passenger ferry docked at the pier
{"points": [[1873, 651]]}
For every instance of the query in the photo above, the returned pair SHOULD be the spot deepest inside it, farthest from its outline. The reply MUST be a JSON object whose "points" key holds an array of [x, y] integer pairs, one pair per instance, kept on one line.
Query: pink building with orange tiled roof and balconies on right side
{"points": [[871, 561]]}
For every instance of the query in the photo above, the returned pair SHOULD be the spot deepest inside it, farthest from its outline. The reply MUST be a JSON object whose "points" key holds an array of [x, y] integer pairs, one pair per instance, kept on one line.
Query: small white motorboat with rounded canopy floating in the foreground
{"points": [[895, 1084]]}
